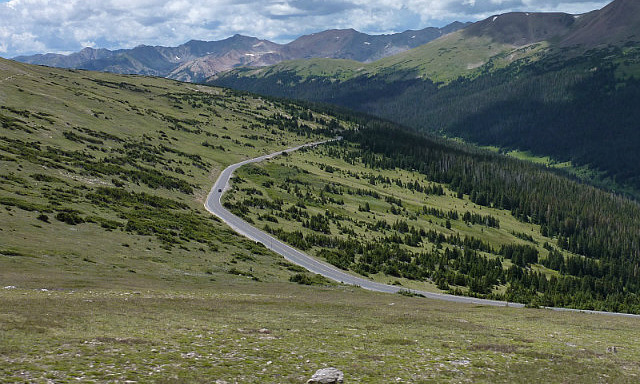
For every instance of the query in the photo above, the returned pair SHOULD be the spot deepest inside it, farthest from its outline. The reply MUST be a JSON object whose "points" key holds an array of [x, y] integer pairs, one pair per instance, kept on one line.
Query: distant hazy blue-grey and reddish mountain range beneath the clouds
{"points": [[198, 60]]}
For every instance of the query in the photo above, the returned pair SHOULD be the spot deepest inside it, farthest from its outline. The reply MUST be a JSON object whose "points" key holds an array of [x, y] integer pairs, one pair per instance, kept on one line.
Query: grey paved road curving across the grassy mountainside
{"points": [[213, 205]]}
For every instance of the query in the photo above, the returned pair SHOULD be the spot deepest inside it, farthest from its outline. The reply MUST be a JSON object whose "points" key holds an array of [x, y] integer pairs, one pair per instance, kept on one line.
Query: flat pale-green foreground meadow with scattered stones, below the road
{"points": [[250, 332]]}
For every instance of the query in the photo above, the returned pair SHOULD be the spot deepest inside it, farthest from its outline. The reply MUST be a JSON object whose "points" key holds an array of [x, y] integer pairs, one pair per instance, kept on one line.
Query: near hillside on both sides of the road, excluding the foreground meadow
{"points": [[95, 157]]}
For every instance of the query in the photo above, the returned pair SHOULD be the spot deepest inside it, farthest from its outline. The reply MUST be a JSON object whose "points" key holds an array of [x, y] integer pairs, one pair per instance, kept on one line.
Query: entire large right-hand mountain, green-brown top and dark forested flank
{"points": [[551, 84]]}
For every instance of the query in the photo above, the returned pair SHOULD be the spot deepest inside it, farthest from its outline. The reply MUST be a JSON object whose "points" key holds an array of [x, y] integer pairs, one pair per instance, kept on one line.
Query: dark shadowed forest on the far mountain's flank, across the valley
{"points": [[581, 110]]}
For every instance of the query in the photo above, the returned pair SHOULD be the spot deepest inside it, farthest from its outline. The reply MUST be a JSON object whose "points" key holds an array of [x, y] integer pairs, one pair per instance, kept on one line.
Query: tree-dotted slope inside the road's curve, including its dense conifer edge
{"points": [[389, 204]]}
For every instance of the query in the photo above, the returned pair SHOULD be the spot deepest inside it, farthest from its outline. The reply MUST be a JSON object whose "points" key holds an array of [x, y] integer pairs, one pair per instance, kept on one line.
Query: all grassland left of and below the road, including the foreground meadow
{"points": [[80, 312]]}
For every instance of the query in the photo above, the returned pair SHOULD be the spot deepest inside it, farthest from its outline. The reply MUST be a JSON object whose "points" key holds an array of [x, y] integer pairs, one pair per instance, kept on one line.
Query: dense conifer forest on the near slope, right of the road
{"points": [[588, 222]]}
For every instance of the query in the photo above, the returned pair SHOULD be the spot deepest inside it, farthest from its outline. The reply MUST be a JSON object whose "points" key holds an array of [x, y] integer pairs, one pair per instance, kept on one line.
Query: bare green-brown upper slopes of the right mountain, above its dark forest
{"points": [[491, 43]]}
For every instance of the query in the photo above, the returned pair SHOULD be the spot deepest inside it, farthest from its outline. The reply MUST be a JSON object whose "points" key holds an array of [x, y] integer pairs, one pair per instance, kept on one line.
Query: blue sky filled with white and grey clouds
{"points": [[65, 26]]}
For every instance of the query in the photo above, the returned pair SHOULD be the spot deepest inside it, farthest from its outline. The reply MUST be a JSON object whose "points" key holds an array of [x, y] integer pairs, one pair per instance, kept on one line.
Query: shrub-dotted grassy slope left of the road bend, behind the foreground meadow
{"points": [[141, 114]]}
